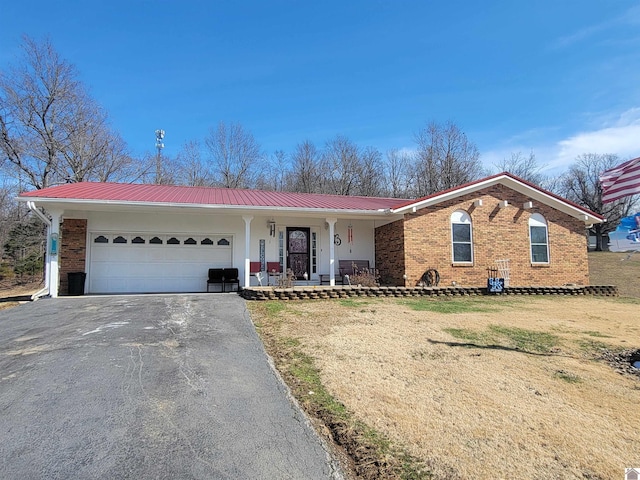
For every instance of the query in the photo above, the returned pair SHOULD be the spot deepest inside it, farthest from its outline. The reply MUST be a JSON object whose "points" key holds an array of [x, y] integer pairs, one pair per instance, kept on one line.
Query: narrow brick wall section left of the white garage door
{"points": [[73, 250]]}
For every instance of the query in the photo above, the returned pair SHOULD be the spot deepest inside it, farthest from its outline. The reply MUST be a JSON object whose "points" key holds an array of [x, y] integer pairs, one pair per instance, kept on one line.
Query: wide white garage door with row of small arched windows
{"points": [[145, 263]]}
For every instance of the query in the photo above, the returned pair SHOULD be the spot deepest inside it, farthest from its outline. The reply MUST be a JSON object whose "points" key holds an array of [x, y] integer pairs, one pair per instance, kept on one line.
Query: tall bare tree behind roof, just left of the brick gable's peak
{"points": [[445, 158]]}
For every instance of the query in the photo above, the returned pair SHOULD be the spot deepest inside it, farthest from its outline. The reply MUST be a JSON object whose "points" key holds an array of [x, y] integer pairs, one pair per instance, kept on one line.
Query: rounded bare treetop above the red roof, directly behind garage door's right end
{"points": [[235, 155]]}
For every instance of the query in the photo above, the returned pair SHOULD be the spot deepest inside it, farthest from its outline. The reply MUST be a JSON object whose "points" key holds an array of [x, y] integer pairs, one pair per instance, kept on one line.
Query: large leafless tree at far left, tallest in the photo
{"points": [[51, 130]]}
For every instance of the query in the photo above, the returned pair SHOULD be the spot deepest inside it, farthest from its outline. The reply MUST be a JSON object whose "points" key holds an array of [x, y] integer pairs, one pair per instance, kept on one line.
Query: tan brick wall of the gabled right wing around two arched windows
{"points": [[498, 233]]}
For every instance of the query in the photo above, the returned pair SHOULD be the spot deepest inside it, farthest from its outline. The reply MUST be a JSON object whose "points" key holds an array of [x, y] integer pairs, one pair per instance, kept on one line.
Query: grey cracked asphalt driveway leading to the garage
{"points": [[146, 387]]}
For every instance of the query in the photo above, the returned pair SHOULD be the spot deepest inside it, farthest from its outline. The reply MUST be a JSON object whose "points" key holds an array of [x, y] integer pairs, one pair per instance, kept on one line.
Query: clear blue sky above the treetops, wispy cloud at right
{"points": [[560, 78]]}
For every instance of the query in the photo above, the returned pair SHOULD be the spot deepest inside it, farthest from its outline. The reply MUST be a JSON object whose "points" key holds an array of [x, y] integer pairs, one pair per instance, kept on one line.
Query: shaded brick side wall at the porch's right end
{"points": [[390, 258]]}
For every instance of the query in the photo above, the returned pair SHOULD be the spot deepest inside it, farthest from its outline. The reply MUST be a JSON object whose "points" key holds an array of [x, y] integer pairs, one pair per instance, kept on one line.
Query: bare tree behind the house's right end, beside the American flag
{"points": [[581, 184]]}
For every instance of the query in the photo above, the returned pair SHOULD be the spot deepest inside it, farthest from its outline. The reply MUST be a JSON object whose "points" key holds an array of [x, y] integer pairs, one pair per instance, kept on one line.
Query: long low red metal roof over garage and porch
{"points": [[169, 194]]}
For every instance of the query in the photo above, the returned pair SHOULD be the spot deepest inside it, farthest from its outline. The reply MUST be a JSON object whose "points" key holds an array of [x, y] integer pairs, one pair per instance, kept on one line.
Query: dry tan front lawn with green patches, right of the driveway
{"points": [[465, 395]]}
